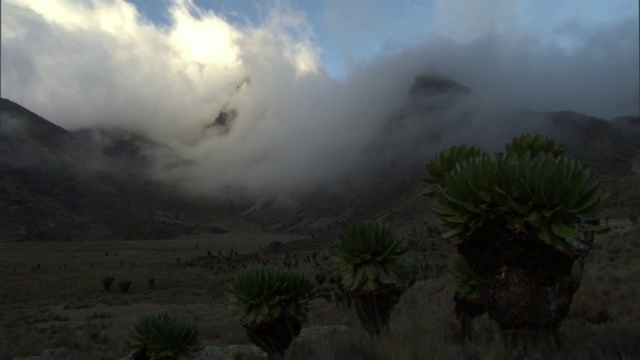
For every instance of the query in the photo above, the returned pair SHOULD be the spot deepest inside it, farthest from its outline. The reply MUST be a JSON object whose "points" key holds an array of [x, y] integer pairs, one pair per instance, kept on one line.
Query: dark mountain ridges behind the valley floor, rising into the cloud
{"points": [[90, 184]]}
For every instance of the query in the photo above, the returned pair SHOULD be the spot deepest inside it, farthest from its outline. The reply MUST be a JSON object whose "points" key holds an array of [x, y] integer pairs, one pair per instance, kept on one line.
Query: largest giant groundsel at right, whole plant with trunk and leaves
{"points": [[518, 217]]}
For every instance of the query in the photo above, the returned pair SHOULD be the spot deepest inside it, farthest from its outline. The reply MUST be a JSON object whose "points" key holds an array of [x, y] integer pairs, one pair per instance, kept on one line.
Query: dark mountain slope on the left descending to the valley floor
{"points": [[59, 185]]}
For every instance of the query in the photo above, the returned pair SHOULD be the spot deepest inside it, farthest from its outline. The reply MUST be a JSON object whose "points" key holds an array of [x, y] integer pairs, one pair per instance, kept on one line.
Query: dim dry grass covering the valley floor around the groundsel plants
{"points": [[62, 303]]}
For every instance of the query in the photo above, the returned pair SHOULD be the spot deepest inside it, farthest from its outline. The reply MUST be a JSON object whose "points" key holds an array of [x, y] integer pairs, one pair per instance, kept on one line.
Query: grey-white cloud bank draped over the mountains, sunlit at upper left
{"points": [[100, 63]]}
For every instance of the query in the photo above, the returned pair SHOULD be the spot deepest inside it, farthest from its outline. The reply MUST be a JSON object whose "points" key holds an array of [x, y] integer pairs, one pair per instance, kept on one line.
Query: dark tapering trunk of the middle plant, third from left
{"points": [[374, 310]]}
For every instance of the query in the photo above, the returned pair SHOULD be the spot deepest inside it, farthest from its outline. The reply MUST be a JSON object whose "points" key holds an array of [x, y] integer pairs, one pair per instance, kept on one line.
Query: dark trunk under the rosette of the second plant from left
{"points": [[275, 336]]}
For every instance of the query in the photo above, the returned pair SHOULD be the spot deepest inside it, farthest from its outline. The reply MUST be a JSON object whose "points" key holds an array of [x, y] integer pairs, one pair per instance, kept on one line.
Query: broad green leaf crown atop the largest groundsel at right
{"points": [[548, 195]]}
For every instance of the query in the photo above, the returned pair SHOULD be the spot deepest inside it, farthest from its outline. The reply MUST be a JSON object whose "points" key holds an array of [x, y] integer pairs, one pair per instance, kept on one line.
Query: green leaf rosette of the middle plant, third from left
{"points": [[367, 257]]}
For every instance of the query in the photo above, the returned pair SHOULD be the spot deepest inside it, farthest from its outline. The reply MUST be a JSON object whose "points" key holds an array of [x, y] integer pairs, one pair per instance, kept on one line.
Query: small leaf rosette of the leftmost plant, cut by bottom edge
{"points": [[164, 336]]}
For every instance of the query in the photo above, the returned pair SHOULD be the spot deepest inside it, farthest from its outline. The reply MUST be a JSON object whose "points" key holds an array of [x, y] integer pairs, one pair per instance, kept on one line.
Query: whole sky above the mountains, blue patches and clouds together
{"points": [[311, 80]]}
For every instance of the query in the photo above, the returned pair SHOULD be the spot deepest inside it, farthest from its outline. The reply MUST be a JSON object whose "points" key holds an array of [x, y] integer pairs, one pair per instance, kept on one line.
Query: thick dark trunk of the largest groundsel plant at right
{"points": [[526, 286]]}
